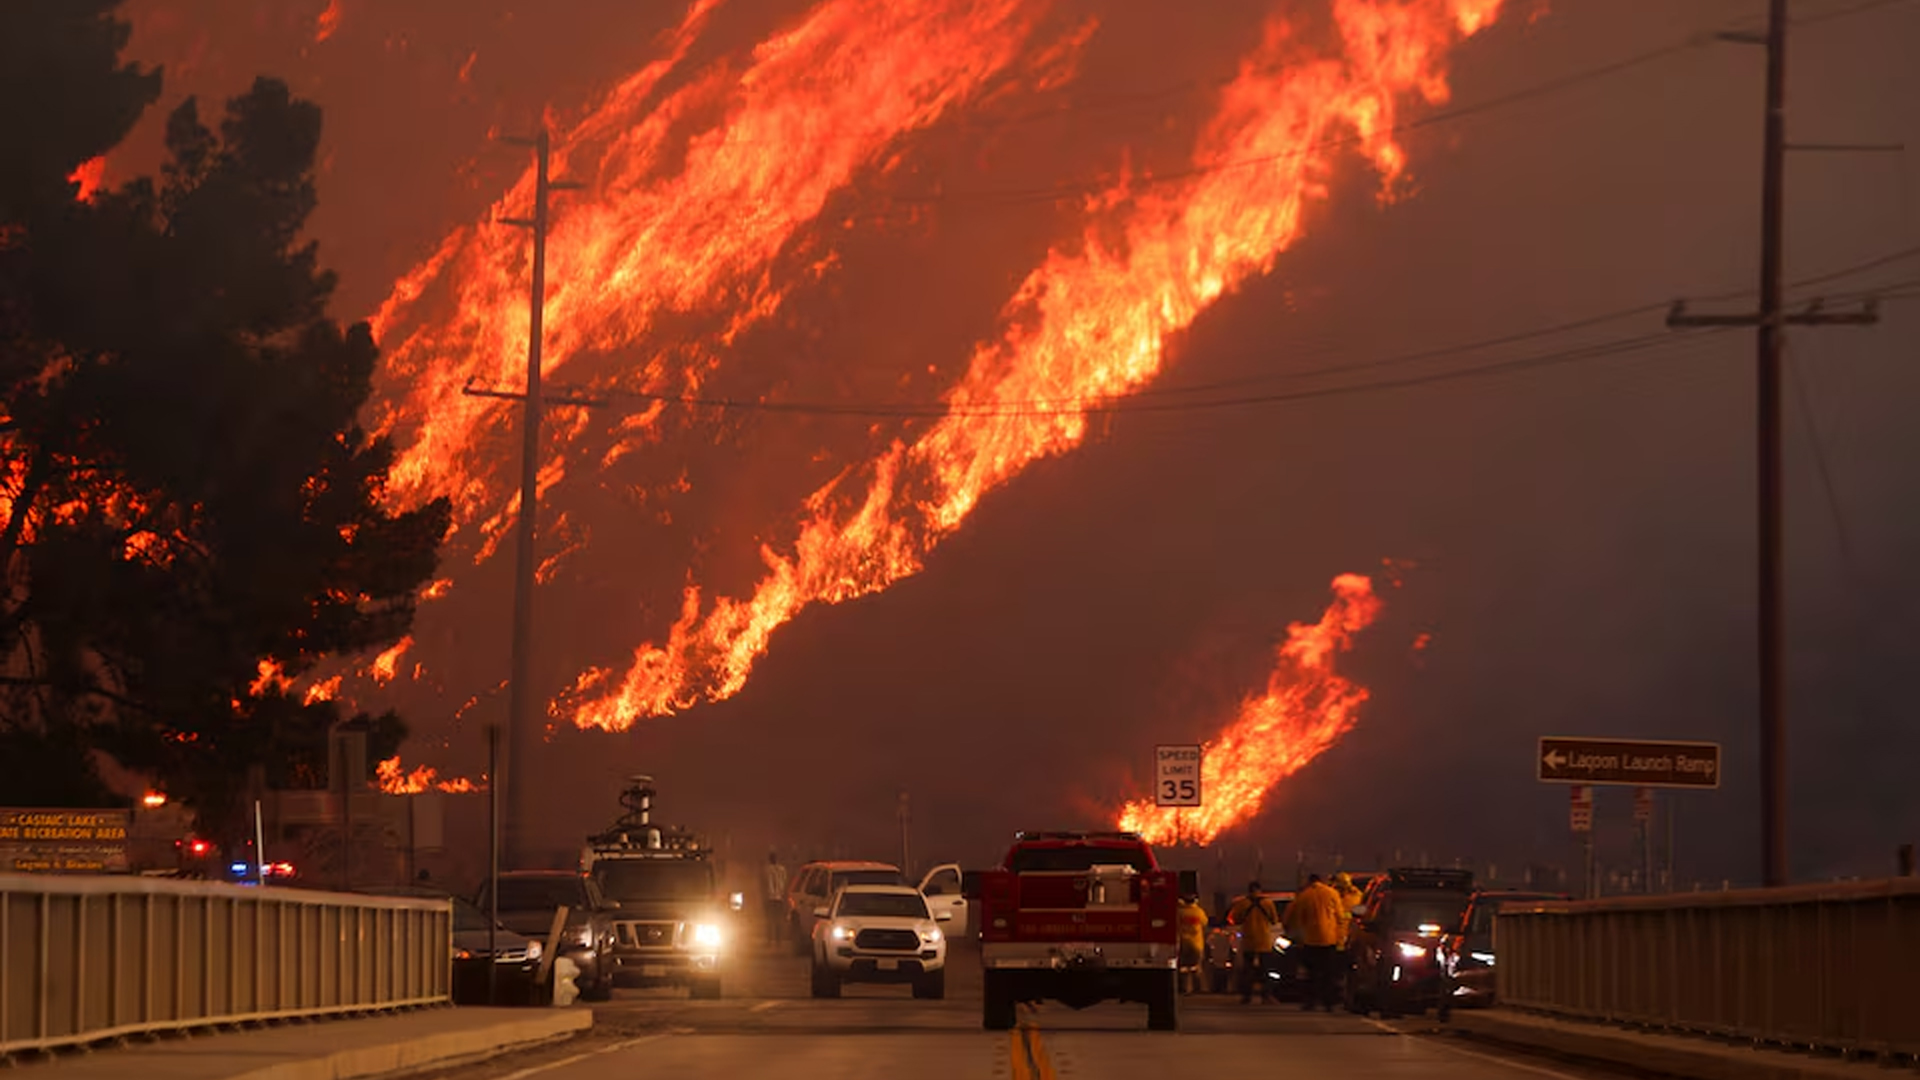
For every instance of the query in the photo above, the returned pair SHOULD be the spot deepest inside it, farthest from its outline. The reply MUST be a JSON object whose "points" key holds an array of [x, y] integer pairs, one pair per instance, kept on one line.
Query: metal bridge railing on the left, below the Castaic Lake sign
{"points": [[87, 960]]}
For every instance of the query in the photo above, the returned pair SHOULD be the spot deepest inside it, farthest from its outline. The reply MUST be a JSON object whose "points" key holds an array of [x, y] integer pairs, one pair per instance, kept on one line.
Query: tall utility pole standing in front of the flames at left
{"points": [[523, 727]]}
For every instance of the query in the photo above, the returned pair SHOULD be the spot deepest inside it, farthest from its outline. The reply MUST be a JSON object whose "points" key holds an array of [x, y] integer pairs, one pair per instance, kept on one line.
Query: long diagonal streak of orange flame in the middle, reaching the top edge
{"points": [[1084, 330]]}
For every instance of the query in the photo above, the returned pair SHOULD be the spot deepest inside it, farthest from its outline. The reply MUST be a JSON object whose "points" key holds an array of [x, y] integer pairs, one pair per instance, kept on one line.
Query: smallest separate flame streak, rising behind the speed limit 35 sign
{"points": [[1307, 708]]}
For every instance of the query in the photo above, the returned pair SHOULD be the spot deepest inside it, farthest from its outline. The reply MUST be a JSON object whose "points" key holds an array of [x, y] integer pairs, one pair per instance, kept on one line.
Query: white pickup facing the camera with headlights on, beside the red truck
{"points": [[880, 935]]}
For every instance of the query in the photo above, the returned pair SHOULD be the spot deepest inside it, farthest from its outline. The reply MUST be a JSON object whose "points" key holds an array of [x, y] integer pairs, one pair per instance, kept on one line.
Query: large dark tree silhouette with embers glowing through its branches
{"points": [[187, 497]]}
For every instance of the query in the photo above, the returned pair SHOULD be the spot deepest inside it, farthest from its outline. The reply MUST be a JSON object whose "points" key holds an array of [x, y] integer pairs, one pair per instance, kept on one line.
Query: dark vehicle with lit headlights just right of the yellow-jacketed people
{"points": [[1393, 945]]}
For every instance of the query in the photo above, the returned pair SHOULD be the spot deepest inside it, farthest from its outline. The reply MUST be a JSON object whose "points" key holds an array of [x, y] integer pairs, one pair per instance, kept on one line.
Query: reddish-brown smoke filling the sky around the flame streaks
{"points": [[1583, 533]]}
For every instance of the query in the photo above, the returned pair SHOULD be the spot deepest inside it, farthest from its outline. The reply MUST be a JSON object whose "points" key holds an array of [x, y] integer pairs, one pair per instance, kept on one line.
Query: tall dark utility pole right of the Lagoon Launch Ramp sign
{"points": [[1771, 322]]}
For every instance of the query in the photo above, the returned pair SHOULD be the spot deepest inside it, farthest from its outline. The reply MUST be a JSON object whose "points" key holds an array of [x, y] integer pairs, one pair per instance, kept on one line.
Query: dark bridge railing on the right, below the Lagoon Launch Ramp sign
{"points": [[1829, 966]]}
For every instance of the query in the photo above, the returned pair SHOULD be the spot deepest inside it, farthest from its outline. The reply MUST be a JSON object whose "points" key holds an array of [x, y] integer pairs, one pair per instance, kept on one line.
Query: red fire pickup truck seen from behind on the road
{"points": [[1078, 918]]}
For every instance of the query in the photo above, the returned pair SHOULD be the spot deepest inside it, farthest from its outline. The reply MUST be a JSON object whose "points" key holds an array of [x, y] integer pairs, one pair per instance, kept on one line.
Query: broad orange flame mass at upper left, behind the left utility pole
{"points": [[661, 230]]}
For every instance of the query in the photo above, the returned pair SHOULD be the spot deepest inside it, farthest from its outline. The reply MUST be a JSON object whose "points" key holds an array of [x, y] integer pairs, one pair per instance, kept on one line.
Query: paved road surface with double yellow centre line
{"points": [[769, 1027]]}
